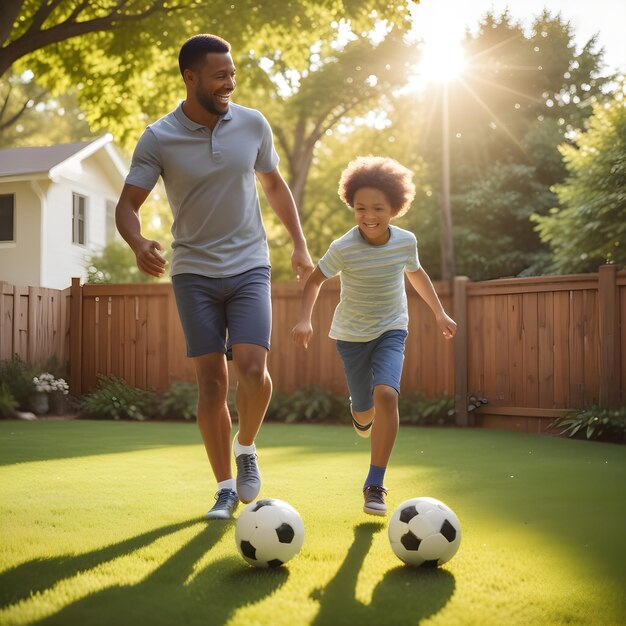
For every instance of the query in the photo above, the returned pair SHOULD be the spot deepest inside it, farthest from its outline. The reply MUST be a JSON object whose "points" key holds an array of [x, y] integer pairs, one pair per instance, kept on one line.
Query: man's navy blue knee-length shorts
{"points": [[217, 311]]}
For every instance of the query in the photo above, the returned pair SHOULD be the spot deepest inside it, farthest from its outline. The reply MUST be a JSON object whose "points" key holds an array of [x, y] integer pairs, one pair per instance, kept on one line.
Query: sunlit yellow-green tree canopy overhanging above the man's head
{"points": [[85, 45]]}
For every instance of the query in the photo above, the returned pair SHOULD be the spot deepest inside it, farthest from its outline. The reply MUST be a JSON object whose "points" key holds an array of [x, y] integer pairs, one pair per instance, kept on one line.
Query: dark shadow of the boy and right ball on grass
{"points": [[404, 596]]}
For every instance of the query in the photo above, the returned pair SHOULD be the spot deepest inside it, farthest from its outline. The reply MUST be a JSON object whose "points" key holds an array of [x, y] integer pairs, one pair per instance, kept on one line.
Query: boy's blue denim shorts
{"points": [[371, 363]]}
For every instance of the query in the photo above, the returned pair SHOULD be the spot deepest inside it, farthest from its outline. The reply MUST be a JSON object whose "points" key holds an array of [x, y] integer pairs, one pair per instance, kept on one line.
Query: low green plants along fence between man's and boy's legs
{"points": [[312, 404]]}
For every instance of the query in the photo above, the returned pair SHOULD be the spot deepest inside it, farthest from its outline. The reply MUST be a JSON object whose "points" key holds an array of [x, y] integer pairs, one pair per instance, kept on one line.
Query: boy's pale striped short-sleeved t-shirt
{"points": [[373, 295]]}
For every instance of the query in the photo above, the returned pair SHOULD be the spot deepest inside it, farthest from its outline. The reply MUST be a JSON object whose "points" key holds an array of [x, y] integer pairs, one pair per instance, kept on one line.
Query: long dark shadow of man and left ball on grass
{"points": [[172, 594]]}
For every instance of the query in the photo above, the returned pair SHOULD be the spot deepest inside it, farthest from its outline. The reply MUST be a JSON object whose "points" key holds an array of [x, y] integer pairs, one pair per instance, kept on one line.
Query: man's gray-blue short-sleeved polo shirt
{"points": [[211, 187]]}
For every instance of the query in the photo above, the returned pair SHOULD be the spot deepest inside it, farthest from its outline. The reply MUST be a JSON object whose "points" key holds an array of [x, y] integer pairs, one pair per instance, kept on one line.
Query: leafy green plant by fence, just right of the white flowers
{"points": [[116, 399]]}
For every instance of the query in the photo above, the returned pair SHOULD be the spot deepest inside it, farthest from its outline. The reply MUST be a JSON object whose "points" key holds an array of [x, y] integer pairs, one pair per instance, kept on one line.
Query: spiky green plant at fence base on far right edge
{"points": [[594, 423]]}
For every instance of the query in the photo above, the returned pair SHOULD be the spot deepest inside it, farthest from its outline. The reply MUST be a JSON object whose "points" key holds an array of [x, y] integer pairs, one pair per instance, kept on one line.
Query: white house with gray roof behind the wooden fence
{"points": [[57, 208]]}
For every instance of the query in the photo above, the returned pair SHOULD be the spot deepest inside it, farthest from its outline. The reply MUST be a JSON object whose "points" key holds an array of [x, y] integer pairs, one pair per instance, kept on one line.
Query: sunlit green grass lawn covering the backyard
{"points": [[101, 523]]}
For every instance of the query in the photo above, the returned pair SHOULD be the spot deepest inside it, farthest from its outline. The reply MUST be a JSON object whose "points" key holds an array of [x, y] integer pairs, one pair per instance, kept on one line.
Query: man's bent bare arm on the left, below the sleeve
{"points": [[149, 259]]}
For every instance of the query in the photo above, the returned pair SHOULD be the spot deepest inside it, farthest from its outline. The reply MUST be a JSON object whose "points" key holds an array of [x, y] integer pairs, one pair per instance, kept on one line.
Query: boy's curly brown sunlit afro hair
{"points": [[384, 173]]}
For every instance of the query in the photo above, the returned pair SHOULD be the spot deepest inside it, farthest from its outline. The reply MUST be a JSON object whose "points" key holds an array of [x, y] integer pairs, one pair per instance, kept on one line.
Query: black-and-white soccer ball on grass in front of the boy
{"points": [[424, 532]]}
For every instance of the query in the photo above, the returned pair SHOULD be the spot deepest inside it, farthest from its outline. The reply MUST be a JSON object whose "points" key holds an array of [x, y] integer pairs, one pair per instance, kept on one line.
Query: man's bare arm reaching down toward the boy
{"points": [[280, 199]]}
